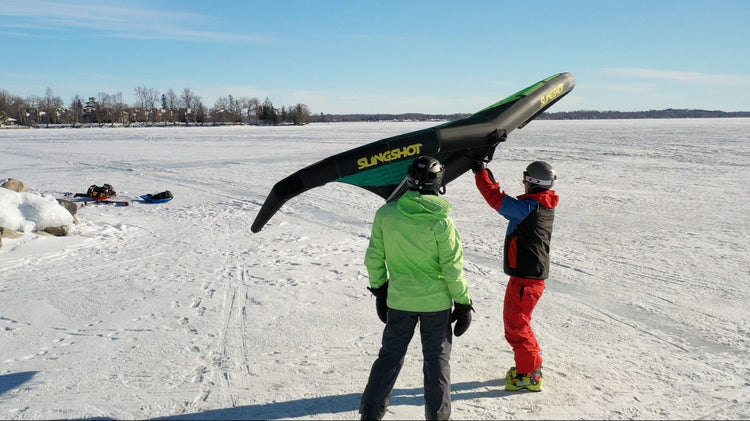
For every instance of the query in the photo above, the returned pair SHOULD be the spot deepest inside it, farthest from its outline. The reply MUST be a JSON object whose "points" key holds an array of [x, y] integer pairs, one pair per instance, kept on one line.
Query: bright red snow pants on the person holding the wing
{"points": [[521, 296]]}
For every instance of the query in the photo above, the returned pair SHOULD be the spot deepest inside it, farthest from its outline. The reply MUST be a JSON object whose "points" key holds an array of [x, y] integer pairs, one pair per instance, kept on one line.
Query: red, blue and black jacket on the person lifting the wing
{"points": [[530, 216]]}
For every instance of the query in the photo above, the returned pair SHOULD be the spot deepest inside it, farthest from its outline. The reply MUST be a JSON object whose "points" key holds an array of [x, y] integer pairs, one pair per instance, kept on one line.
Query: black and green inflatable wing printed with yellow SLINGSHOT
{"points": [[381, 166]]}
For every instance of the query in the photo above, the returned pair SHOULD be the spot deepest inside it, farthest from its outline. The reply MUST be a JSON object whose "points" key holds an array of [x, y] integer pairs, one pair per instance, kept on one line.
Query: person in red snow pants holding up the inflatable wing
{"points": [[525, 254]]}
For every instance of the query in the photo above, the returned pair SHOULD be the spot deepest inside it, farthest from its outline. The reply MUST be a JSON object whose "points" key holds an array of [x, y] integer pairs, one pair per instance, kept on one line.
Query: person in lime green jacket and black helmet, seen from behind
{"points": [[415, 264]]}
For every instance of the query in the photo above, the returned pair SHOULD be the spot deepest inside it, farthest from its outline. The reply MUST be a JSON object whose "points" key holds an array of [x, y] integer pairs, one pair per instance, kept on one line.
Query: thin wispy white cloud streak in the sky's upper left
{"points": [[119, 21]]}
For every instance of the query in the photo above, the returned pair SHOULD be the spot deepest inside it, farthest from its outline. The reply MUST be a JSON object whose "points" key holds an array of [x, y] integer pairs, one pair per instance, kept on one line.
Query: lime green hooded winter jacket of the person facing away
{"points": [[416, 247]]}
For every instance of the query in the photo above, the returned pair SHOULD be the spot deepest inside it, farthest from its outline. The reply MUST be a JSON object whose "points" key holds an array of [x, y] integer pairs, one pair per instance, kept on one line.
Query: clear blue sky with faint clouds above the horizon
{"points": [[384, 56]]}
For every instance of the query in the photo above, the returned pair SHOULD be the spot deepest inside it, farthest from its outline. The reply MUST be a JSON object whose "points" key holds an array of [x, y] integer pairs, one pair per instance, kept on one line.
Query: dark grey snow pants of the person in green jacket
{"points": [[437, 338]]}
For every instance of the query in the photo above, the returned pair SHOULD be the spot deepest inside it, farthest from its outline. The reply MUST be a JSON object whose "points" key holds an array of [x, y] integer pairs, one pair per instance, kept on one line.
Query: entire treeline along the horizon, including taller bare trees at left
{"points": [[153, 107]]}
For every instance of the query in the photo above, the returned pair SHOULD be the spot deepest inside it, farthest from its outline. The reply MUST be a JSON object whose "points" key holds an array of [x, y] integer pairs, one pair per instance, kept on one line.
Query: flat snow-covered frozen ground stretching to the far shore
{"points": [[177, 311]]}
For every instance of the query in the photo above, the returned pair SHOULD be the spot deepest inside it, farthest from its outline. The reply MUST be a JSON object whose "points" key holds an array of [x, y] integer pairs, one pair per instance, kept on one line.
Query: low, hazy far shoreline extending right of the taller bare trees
{"points": [[564, 115]]}
